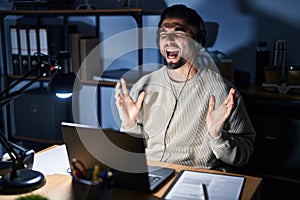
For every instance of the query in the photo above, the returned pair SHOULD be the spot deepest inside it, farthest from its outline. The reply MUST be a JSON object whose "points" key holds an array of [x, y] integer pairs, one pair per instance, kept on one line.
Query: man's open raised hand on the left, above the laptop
{"points": [[128, 109]]}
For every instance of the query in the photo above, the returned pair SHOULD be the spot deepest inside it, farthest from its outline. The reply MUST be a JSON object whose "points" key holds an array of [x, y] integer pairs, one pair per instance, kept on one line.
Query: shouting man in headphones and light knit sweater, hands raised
{"points": [[186, 111]]}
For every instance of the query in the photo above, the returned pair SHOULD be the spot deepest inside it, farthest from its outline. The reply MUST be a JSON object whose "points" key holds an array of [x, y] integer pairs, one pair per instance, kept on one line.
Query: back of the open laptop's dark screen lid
{"points": [[110, 148]]}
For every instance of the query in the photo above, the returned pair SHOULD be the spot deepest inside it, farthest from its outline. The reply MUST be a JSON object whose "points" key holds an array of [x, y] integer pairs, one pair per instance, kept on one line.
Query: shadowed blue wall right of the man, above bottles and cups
{"points": [[243, 23]]}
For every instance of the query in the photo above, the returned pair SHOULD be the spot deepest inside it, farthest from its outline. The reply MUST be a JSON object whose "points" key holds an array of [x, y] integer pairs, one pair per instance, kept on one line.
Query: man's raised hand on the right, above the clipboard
{"points": [[216, 118]]}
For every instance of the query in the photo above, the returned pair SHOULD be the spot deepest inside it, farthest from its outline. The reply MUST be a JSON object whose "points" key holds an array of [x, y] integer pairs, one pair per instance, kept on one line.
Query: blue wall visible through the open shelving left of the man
{"points": [[114, 58]]}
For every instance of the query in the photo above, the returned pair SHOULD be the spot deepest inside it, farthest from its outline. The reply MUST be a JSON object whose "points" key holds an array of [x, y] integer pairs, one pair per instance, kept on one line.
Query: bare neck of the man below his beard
{"points": [[184, 73]]}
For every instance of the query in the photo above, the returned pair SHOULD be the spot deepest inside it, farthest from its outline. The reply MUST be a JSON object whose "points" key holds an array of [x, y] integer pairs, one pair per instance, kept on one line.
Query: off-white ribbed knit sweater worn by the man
{"points": [[186, 141]]}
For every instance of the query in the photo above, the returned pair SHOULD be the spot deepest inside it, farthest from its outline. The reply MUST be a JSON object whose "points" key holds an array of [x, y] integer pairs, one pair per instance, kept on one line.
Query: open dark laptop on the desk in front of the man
{"points": [[123, 152]]}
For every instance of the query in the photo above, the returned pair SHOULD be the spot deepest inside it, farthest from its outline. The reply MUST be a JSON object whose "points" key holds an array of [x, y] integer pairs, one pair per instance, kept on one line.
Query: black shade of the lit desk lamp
{"points": [[64, 83]]}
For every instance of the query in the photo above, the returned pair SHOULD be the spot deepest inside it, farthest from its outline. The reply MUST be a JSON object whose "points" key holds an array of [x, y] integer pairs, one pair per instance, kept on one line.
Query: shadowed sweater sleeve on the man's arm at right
{"points": [[235, 145]]}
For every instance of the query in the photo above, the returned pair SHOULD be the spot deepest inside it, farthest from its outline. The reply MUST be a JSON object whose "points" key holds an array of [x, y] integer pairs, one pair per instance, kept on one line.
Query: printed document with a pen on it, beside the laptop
{"points": [[193, 185]]}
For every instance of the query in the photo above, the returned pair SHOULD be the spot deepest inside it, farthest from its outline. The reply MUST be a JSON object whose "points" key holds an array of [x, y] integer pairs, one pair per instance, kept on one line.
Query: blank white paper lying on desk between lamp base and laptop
{"points": [[52, 161]]}
